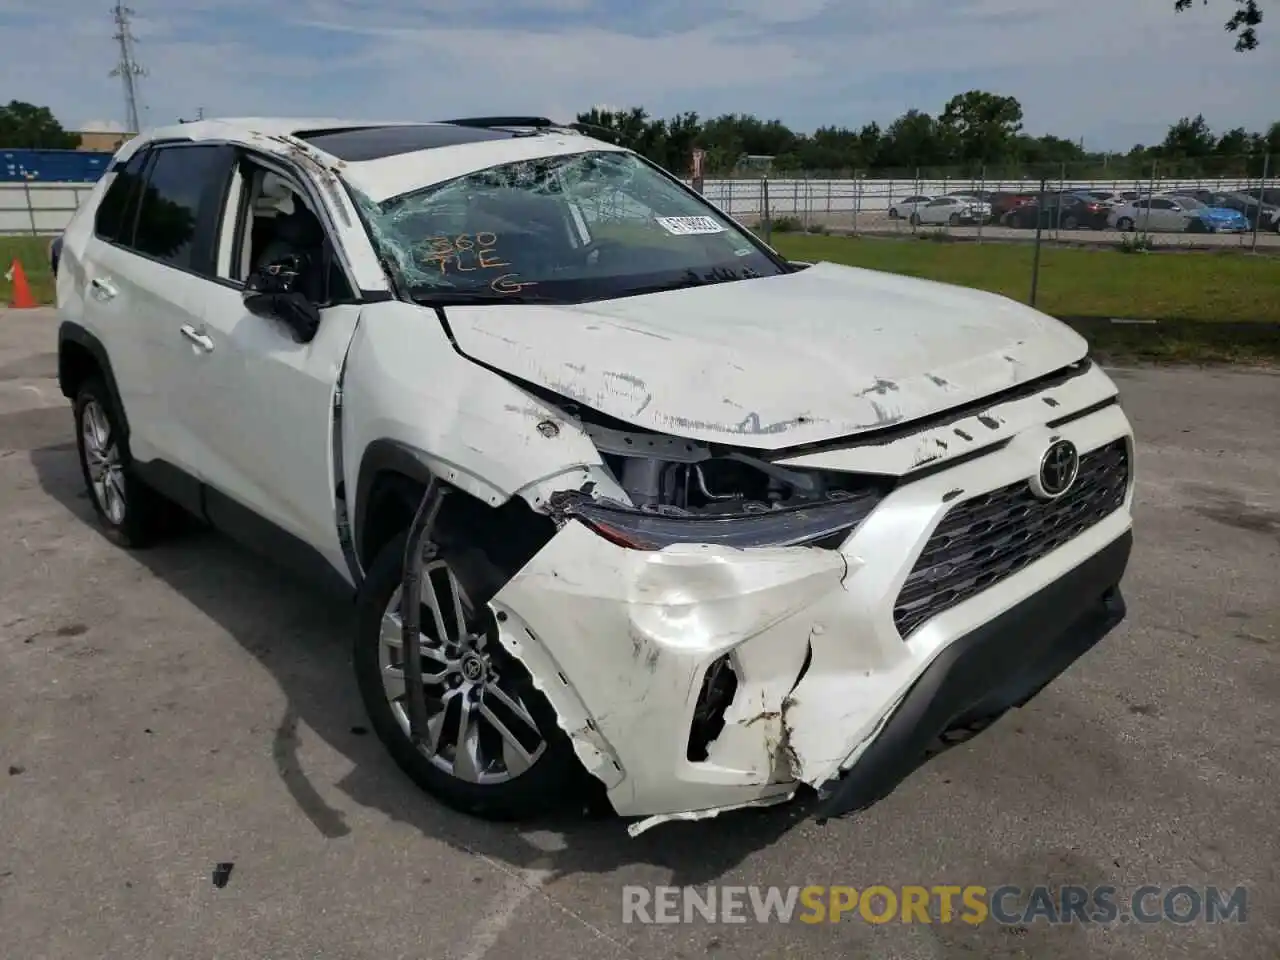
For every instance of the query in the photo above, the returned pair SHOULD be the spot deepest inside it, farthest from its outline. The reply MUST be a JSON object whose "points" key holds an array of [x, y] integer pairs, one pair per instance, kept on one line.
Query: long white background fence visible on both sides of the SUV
{"points": [[48, 208]]}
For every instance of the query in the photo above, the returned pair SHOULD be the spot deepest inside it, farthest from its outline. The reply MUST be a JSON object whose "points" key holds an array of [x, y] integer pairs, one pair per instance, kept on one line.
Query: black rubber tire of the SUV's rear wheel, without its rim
{"points": [[148, 516]]}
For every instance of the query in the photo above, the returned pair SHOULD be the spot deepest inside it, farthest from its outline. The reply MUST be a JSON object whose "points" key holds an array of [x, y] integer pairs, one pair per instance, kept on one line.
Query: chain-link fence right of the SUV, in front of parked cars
{"points": [[1159, 204]]}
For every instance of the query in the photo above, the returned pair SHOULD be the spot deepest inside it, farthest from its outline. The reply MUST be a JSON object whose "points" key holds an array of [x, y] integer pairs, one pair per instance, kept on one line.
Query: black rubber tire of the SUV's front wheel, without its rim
{"points": [[551, 784]]}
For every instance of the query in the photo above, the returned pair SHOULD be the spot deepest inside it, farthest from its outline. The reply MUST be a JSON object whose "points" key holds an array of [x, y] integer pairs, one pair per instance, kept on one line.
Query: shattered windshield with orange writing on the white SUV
{"points": [[568, 228]]}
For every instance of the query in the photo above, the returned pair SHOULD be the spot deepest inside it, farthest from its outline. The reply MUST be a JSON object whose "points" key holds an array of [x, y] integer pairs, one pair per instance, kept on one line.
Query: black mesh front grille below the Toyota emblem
{"points": [[989, 538]]}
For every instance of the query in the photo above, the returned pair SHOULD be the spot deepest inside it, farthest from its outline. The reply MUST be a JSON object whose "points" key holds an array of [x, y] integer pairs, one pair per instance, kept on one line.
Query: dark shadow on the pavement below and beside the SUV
{"points": [[304, 639]]}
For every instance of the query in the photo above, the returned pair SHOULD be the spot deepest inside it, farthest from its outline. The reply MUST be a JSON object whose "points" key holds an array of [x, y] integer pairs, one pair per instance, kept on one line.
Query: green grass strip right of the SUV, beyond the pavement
{"points": [[1174, 286]]}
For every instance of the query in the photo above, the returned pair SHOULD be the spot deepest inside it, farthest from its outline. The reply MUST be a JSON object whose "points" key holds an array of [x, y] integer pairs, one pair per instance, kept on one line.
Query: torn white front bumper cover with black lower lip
{"points": [[703, 678]]}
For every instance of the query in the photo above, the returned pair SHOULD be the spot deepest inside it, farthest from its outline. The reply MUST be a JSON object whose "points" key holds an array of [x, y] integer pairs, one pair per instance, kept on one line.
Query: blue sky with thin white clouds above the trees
{"points": [[1114, 72]]}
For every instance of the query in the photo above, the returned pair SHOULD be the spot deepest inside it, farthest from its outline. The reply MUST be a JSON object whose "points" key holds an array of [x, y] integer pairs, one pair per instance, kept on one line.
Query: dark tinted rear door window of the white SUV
{"points": [[179, 180]]}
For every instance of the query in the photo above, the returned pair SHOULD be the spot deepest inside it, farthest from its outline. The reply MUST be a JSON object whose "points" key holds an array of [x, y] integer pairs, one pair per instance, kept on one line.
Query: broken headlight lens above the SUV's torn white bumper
{"points": [[815, 525]]}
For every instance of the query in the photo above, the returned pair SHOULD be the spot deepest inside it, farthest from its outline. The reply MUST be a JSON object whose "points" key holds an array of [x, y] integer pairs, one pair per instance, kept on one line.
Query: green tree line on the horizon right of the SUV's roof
{"points": [[976, 134]]}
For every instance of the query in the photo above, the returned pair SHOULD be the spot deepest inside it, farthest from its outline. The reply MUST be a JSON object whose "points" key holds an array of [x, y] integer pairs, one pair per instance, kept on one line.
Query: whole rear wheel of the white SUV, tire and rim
{"points": [[131, 513]]}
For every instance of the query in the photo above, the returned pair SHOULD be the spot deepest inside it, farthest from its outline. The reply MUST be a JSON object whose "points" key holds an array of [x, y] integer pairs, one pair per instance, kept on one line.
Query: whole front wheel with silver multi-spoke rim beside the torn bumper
{"points": [[492, 747]]}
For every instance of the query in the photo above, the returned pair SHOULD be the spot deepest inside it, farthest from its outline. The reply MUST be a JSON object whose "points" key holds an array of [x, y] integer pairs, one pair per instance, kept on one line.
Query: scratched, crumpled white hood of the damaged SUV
{"points": [[774, 363]]}
